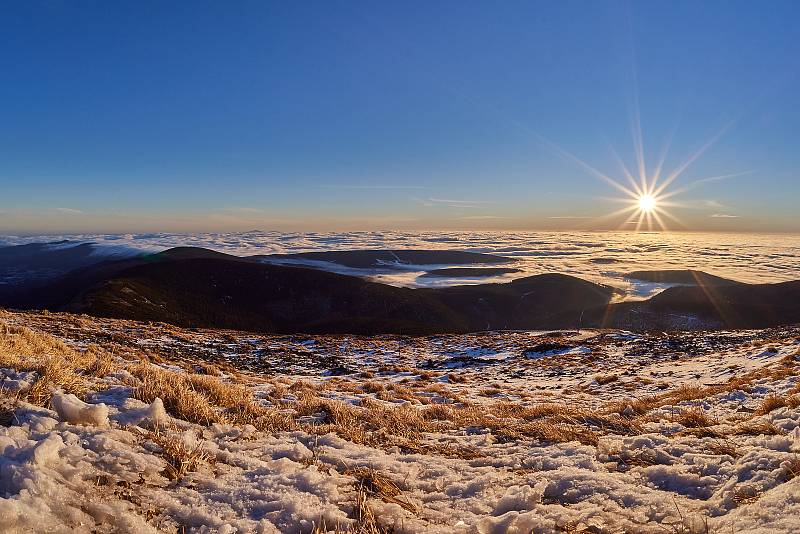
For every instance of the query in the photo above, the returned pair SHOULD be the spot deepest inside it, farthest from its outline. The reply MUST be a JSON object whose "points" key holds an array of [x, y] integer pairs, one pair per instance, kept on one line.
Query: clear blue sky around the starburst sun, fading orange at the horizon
{"points": [[182, 116]]}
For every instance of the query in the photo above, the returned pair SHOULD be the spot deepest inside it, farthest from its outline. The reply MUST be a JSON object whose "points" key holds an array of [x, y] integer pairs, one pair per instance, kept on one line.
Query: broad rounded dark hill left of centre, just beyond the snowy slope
{"points": [[265, 298]]}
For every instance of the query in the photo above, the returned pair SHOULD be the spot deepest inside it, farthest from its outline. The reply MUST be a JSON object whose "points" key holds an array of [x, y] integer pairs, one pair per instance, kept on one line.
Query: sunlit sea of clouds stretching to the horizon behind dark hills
{"points": [[598, 256]]}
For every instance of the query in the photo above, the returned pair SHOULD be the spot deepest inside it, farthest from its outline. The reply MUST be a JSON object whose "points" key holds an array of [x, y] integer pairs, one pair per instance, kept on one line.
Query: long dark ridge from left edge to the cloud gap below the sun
{"points": [[194, 288]]}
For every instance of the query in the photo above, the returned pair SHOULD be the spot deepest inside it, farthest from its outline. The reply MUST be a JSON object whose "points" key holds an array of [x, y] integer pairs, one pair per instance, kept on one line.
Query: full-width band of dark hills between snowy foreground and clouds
{"points": [[191, 286]]}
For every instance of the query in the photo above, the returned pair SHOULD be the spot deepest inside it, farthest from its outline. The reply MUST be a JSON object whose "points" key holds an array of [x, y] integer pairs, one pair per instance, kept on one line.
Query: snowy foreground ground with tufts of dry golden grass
{"points": [[590, 431]]}
